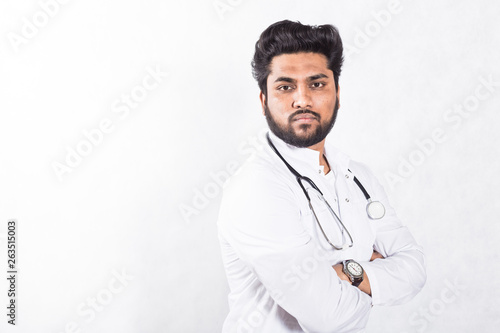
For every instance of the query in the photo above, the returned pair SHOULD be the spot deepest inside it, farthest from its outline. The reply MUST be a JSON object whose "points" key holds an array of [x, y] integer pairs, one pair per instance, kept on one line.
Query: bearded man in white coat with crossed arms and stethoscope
{"points": [[308, 238]]}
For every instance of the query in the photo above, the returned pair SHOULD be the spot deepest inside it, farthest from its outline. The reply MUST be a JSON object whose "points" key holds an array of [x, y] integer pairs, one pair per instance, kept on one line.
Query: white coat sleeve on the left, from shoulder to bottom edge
{"points": [[260, 219]]}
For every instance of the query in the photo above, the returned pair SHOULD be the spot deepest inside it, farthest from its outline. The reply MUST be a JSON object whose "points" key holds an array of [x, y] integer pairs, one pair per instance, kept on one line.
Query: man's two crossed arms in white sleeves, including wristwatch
{"points": [[272, 242]]}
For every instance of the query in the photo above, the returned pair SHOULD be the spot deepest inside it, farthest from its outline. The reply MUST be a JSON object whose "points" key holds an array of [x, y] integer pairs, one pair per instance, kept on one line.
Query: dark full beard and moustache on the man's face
{"points": [[311, 137]]}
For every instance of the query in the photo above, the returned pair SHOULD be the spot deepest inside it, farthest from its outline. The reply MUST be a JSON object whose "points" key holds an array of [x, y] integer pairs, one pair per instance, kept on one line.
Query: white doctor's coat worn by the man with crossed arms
{"points": [[279, 265]]}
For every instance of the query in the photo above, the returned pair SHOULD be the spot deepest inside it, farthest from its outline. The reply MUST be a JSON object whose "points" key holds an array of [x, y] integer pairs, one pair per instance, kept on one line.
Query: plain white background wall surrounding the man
{"points": [[119, 210]]}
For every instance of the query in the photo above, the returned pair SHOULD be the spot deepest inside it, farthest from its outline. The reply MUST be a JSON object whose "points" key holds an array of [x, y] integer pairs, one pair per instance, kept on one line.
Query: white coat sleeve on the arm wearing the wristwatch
{"points": [[401, 275]]}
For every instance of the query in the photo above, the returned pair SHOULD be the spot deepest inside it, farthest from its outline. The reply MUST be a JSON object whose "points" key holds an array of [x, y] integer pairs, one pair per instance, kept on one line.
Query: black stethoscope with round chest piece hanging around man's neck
{"points": [[374, 209]]}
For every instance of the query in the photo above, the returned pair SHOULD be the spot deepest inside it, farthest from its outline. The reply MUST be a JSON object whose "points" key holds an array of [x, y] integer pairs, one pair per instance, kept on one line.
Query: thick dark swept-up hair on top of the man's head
{"points": [[287, 37]]}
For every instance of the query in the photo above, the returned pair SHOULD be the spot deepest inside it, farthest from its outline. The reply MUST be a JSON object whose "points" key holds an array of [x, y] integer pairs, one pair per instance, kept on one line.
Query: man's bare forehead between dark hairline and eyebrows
{"points": [[299, 65]]}
